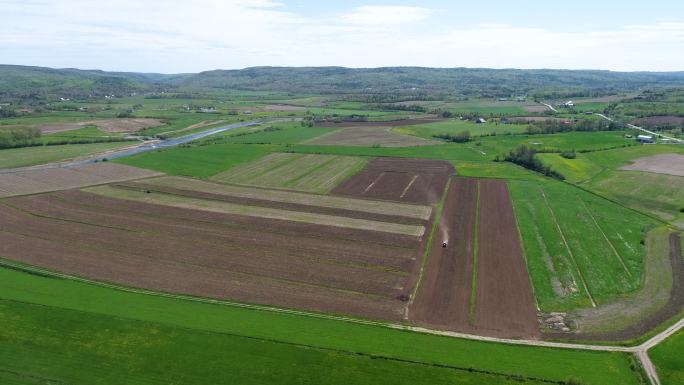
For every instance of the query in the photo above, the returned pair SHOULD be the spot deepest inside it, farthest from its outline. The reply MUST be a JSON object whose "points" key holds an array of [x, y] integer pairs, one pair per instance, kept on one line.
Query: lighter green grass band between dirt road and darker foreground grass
{"points": [[60, 295]]}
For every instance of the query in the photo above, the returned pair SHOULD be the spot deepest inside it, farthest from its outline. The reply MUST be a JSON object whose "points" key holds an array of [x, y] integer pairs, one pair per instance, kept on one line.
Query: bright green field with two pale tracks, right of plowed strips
{"points": [[581, 249]]}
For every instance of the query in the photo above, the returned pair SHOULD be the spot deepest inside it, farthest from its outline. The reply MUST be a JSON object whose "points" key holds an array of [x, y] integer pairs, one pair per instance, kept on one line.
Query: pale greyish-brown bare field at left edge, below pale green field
{"points": [[32, 181]]}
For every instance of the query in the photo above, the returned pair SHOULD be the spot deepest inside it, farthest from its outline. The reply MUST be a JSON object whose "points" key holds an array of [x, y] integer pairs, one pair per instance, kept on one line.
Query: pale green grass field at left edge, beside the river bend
{"points": [[29, 156]]}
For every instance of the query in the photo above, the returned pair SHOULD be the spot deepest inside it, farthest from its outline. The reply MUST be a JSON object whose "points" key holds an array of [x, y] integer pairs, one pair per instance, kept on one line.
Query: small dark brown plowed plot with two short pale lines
{"points": [[399, 179]]}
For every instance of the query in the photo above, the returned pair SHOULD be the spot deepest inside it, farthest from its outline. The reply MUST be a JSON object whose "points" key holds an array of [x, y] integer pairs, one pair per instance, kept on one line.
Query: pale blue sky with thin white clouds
{"points": [[191, 36]]}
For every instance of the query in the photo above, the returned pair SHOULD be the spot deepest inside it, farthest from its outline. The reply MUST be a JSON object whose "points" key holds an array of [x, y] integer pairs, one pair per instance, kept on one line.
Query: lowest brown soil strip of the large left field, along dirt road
{"points": [[192, 280]]}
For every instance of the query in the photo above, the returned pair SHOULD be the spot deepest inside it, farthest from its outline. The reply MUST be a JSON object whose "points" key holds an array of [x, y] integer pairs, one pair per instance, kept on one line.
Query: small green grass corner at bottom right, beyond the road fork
{"points": [[669, 360]]}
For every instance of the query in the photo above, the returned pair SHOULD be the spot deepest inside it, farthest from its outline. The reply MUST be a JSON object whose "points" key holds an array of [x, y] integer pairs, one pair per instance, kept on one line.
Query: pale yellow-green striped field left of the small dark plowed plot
{"points": [[299, 172]]}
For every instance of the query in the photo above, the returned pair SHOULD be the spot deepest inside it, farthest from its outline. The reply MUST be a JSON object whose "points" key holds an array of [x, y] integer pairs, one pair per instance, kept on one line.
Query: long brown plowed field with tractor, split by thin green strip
{"points": [[503, 305]]}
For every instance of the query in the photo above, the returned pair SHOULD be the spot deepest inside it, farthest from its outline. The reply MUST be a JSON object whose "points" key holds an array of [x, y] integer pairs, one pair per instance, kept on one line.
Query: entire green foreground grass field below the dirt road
{"points": [[81, 332]]}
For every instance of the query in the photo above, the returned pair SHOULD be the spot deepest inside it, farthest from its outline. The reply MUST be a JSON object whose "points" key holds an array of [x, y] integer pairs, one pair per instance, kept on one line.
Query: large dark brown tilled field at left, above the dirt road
{"points": [[281, 263]]}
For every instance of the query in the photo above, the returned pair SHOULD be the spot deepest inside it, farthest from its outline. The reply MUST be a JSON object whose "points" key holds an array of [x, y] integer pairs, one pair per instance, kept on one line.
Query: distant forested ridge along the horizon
{"points": [[367, 84]]}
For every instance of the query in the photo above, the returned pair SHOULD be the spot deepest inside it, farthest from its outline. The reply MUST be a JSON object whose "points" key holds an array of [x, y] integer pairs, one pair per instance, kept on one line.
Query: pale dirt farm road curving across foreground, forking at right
{"points": [[640, 351]]}
